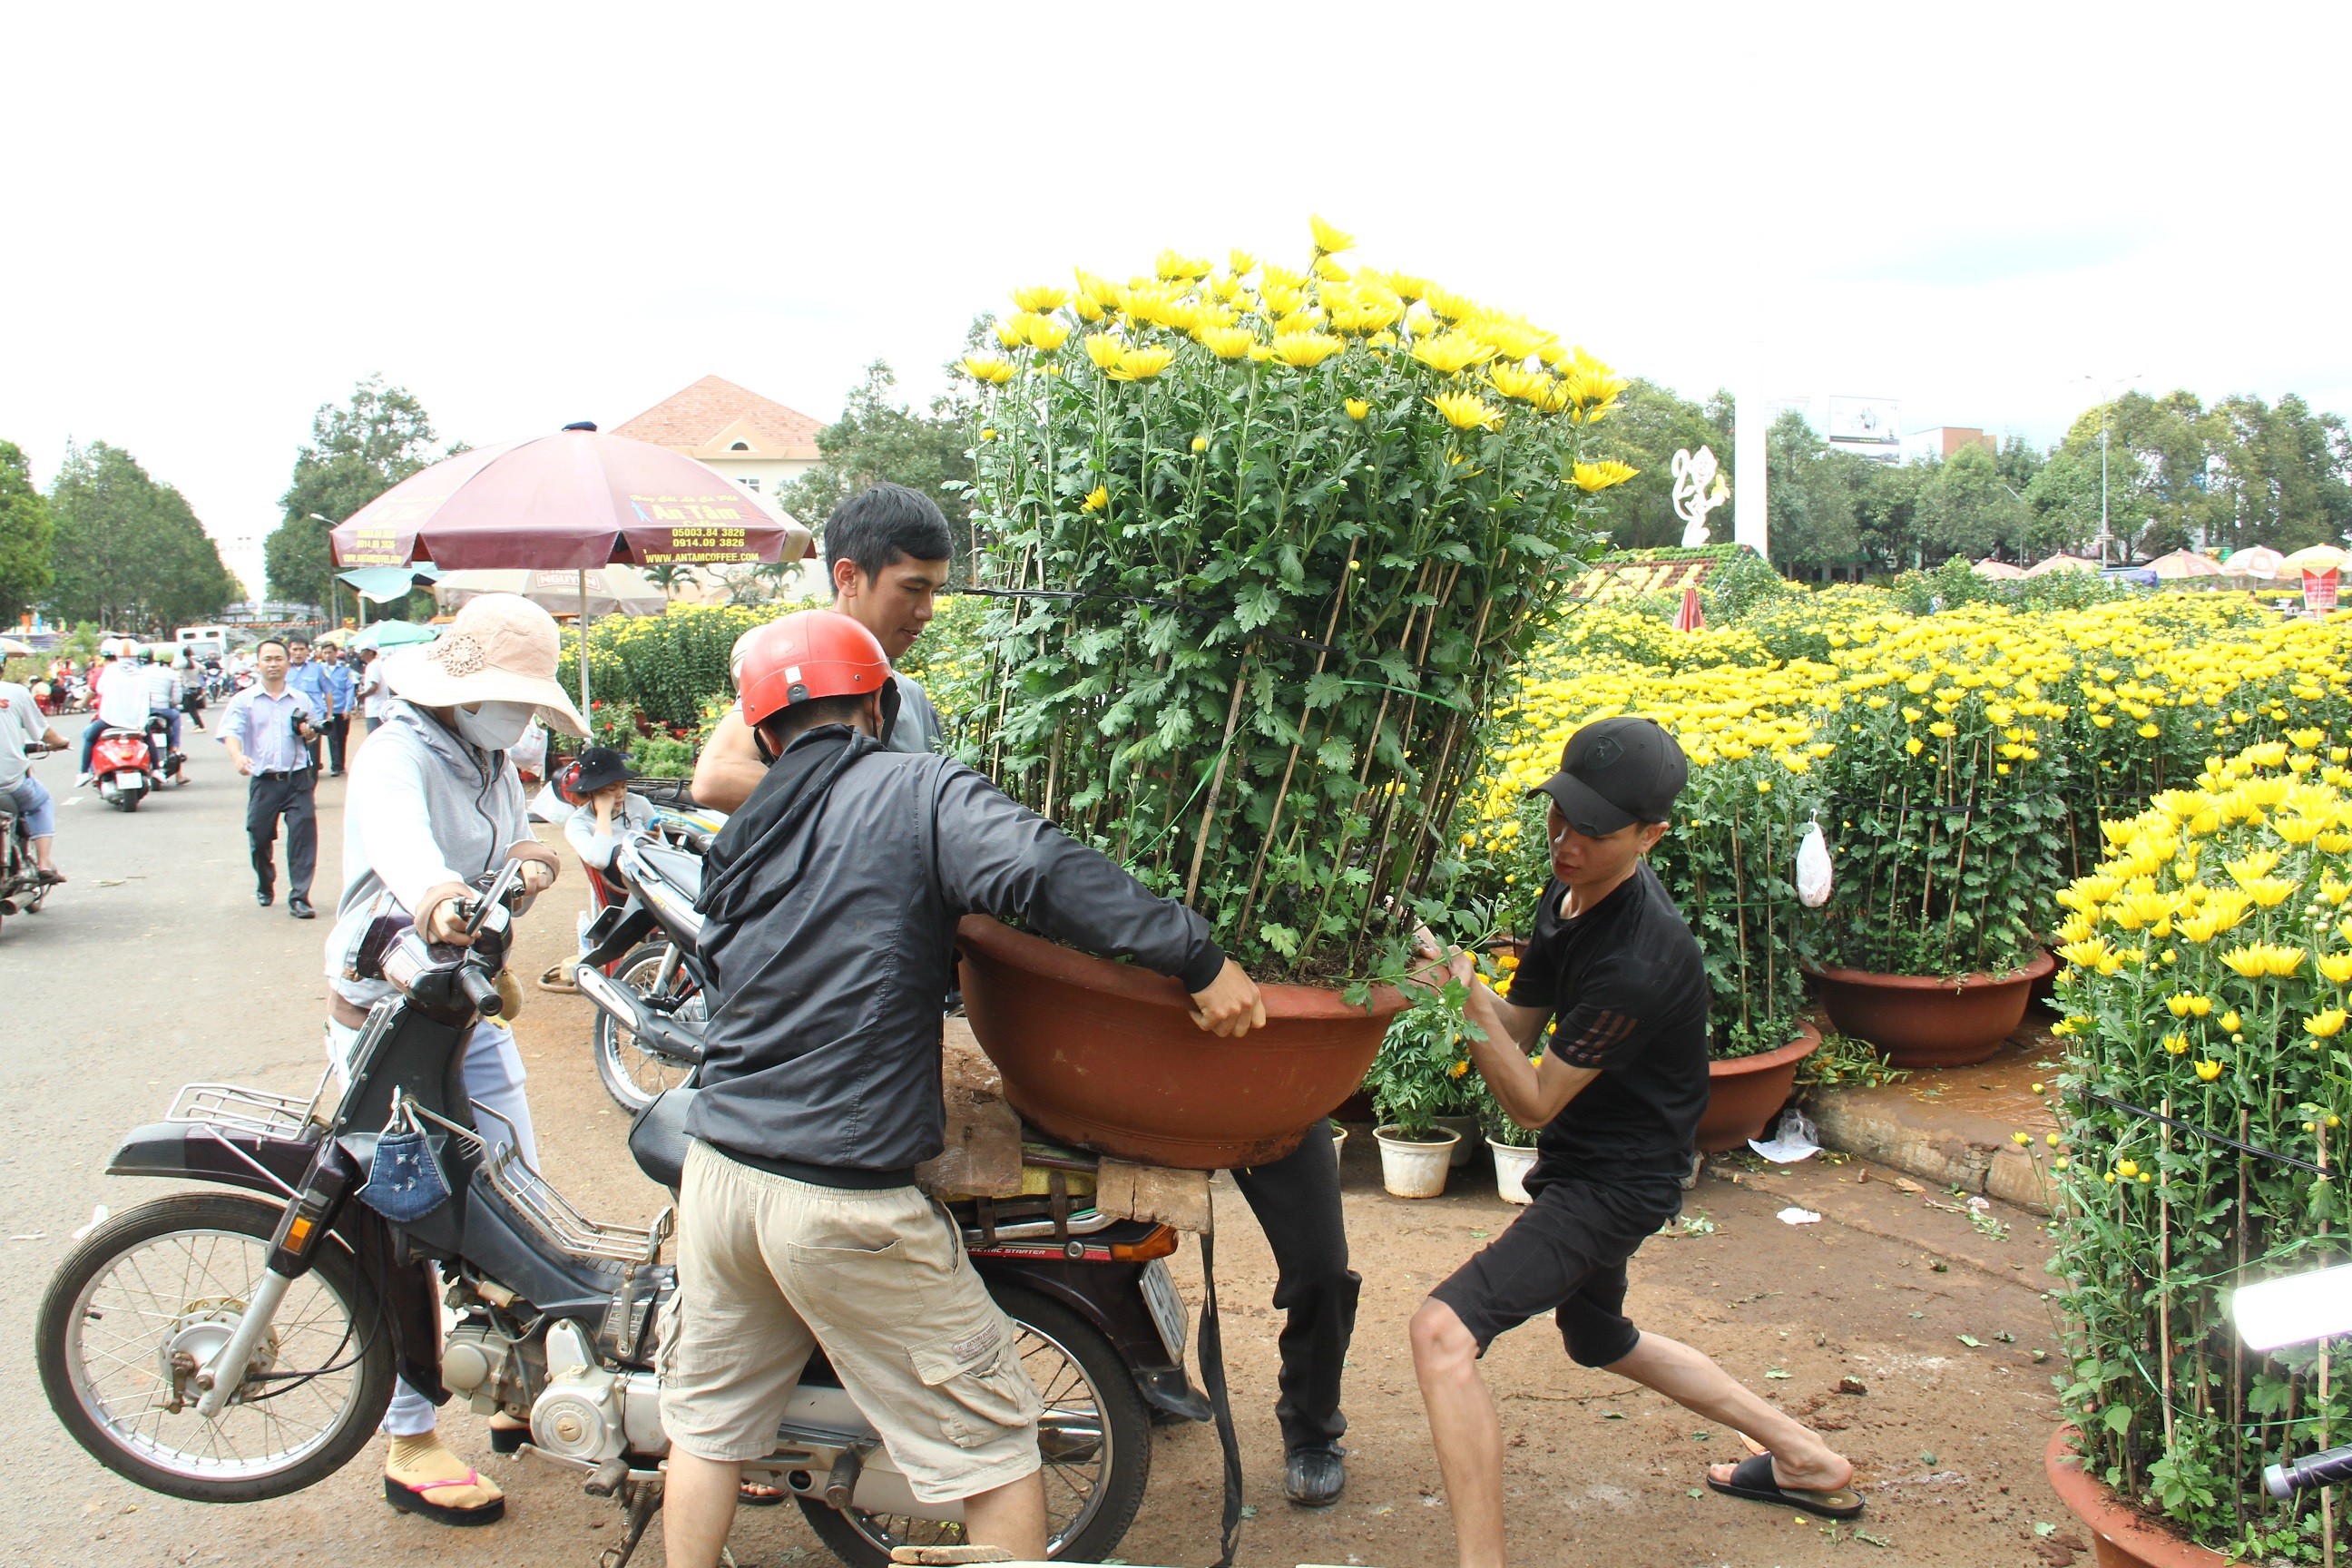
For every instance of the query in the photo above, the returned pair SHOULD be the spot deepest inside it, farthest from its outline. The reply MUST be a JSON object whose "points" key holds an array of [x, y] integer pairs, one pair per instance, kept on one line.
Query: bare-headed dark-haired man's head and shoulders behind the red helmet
{"points": [[888, 554]]}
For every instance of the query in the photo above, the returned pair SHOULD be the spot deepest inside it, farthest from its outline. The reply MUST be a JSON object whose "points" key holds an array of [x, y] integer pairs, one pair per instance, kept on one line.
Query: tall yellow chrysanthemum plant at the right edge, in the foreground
{"points": [[2207, 967]]}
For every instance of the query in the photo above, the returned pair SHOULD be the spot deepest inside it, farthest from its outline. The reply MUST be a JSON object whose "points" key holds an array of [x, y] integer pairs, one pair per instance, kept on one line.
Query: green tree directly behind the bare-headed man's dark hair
{"points": [[881, 438]]}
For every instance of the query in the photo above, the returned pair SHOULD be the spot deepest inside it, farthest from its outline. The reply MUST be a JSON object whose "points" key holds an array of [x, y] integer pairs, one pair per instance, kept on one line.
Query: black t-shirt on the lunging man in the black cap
{"points": [[1629, 996]]}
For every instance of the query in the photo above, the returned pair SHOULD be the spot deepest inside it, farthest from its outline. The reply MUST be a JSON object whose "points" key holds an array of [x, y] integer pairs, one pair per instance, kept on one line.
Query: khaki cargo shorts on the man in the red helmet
{"points": [[770, 1268]]}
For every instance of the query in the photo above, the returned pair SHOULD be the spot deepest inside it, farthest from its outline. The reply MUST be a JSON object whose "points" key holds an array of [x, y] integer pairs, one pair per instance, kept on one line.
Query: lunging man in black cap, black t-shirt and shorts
{"points": [[1617, 1092]]}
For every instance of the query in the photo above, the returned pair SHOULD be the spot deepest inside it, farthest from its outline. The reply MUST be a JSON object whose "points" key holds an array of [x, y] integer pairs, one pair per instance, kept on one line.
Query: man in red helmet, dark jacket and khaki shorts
{"points": [[829, 927]]}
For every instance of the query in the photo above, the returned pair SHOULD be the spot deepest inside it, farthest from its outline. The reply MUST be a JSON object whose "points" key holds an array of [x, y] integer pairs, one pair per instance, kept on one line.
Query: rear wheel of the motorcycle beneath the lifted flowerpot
{"points": [[1095, 1440]]}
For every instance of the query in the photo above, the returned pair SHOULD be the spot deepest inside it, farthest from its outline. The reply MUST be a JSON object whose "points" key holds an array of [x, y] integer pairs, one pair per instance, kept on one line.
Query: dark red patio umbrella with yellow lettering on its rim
{"points": [[568, 502]]}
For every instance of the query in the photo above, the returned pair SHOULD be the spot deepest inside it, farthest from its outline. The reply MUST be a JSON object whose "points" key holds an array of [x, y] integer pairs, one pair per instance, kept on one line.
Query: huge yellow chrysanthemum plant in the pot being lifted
{"points": [[1267, 547]]}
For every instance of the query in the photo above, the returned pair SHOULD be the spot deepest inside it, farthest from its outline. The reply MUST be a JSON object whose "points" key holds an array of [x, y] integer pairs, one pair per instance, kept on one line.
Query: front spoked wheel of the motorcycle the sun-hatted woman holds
{"points": [[156, 1292]]}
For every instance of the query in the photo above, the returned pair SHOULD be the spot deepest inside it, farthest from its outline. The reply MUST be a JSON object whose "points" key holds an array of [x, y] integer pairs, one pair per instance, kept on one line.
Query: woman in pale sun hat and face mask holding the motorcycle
{"points": [[436, 803]]}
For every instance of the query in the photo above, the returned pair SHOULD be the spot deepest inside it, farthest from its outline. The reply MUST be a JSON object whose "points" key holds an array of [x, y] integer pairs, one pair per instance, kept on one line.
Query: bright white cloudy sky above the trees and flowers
{"points": [[220, 220]]}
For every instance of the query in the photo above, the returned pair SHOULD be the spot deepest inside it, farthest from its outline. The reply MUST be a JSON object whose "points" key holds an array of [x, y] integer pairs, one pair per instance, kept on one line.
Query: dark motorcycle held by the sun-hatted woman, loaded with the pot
{"points": [[241, 1346]]}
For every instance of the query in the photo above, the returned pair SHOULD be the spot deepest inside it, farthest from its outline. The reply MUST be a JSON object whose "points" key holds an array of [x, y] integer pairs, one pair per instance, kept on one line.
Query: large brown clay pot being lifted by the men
{"points": [[1109, 1057]]}
